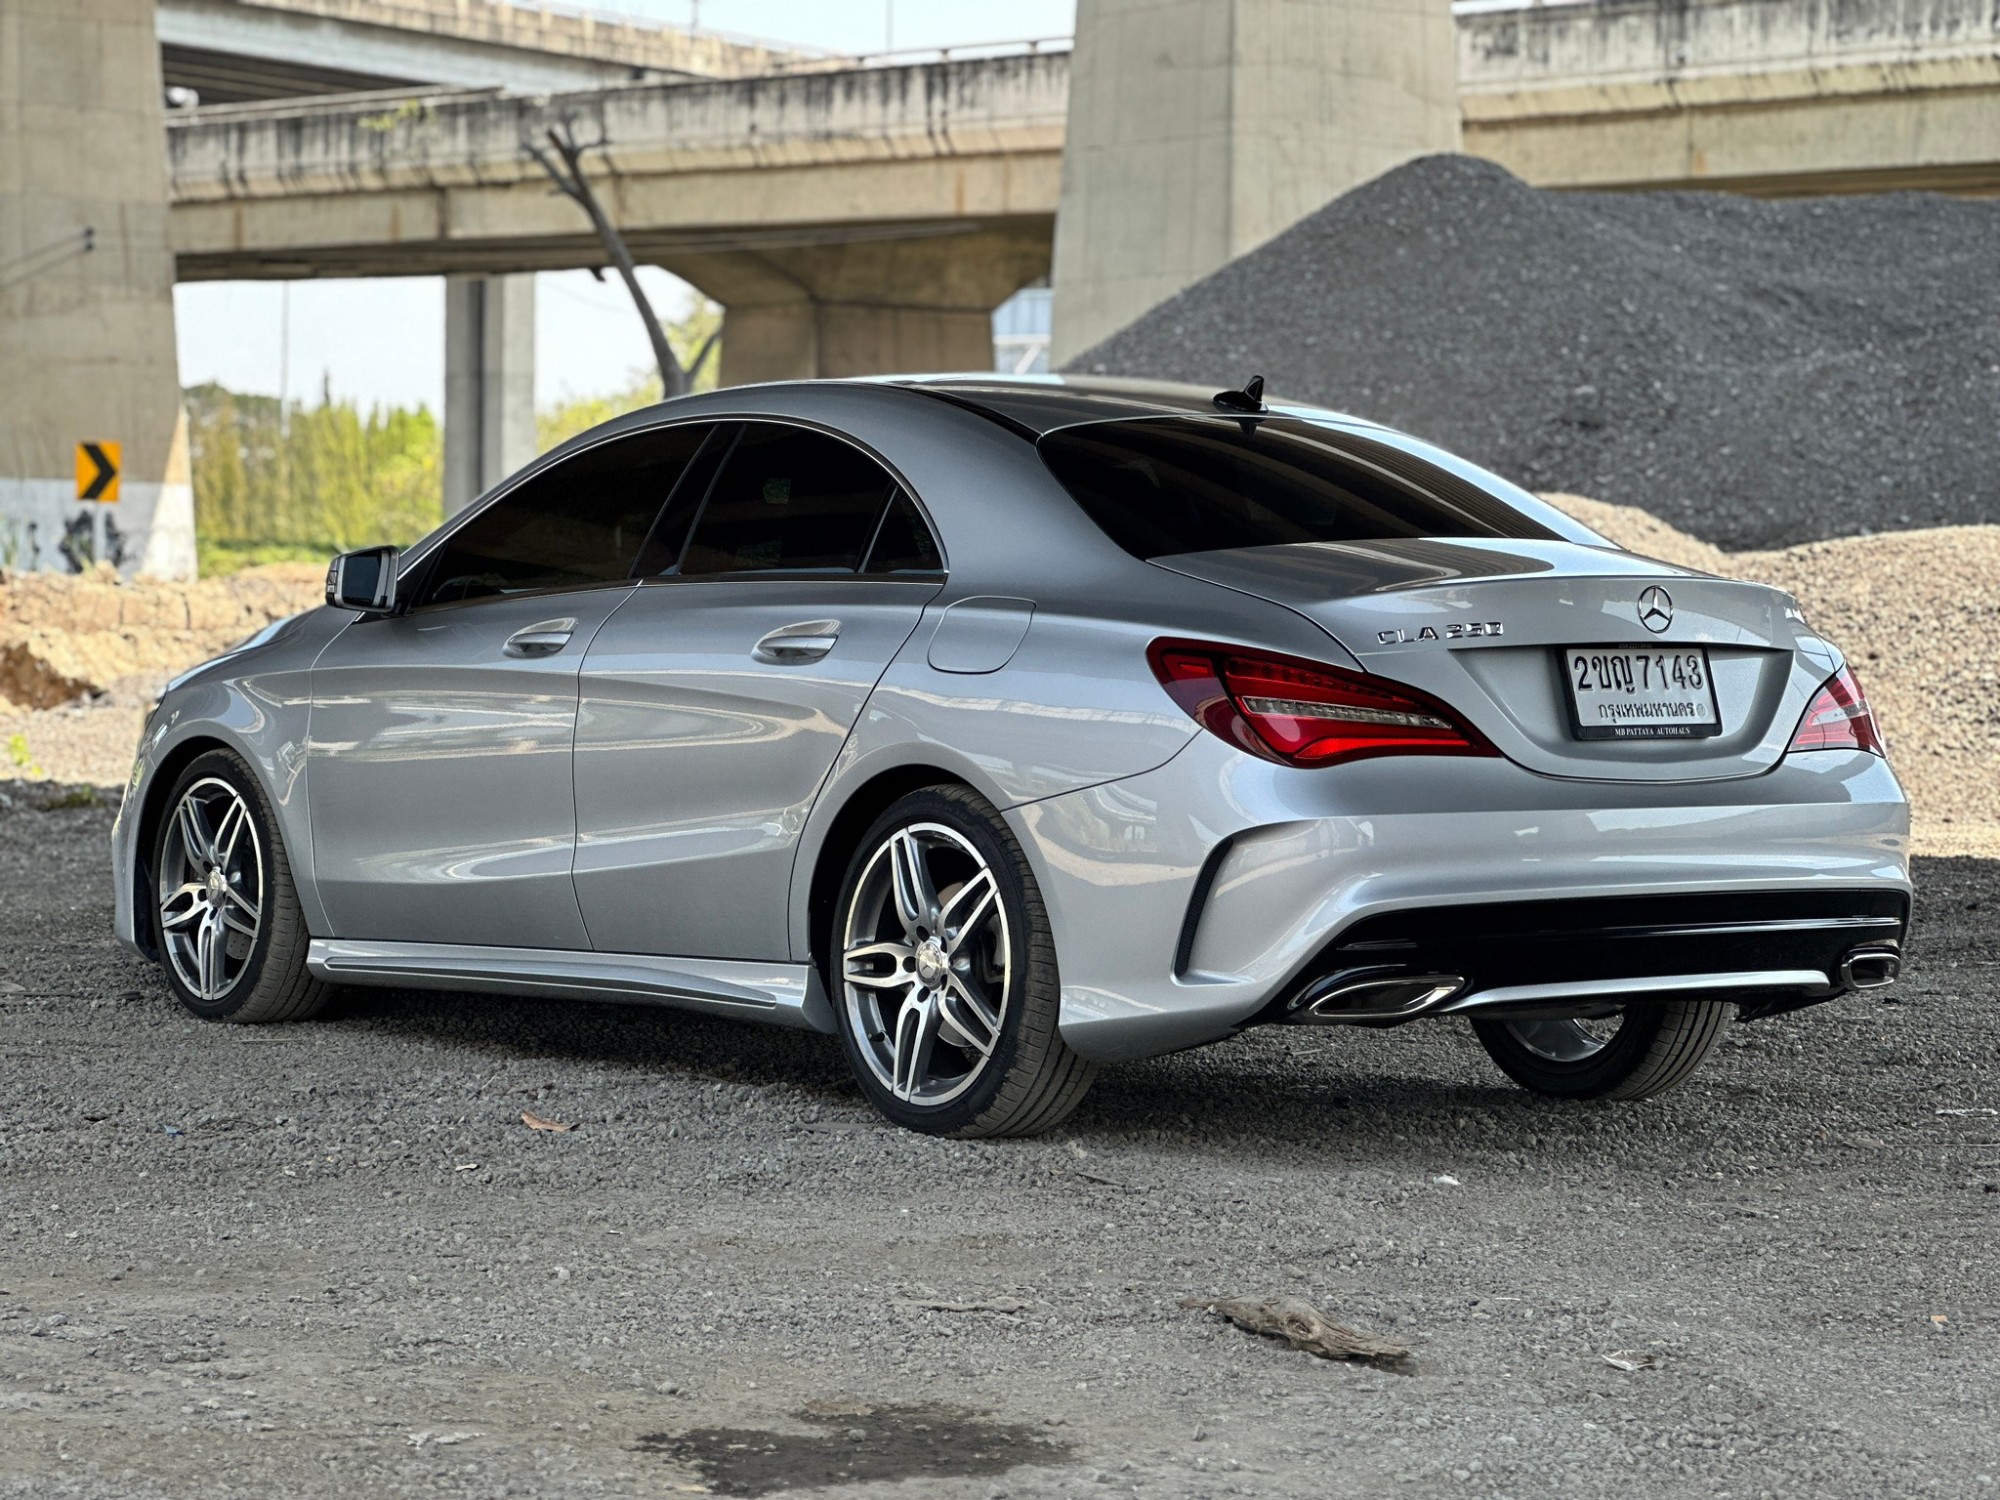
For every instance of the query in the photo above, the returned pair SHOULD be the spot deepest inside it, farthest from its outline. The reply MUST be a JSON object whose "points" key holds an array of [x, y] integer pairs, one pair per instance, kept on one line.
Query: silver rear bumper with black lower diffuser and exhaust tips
{"points": [[1201, 897]]}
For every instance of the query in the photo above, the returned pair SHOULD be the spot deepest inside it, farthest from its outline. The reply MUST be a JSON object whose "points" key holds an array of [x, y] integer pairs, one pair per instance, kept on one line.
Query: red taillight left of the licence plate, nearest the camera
{"points": [[1301, 713]]}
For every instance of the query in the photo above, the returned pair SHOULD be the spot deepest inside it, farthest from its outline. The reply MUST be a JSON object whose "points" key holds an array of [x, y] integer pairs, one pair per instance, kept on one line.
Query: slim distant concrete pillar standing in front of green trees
{"points": [[489, 383]]}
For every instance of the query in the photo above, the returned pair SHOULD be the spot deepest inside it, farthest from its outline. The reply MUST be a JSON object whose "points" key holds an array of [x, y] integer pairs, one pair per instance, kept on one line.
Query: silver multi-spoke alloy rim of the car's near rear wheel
{"points": [[925, 963]]}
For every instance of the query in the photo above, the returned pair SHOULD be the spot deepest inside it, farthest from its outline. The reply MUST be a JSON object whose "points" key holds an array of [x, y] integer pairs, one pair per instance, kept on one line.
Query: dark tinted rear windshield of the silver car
{"points": [[1201, 485]]}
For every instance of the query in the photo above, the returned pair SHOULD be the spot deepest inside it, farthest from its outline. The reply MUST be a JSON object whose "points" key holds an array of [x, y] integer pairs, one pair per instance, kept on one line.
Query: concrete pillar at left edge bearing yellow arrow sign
{"points": [[87, 297]]}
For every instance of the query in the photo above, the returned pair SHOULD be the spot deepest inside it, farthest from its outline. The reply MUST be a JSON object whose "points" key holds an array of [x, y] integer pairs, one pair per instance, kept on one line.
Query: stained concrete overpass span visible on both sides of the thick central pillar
{"points": [[1775, 97]]}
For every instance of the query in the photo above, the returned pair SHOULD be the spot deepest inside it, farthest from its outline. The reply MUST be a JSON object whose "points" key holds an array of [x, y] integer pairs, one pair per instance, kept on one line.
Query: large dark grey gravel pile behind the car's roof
{"points": [[1755, 373]]}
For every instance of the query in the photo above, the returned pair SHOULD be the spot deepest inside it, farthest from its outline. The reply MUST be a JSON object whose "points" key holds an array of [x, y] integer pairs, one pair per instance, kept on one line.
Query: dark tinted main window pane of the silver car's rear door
{"points": [[789, 501]]}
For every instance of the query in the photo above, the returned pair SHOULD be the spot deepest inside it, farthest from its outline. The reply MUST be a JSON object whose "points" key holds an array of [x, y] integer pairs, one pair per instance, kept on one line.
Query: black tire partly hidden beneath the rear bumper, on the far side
{"points": [[1655, 1047]]}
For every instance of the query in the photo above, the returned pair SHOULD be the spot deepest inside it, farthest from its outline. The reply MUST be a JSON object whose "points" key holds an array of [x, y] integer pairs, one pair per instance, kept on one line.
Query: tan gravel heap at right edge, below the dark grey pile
{"points": [[1907, 611]]}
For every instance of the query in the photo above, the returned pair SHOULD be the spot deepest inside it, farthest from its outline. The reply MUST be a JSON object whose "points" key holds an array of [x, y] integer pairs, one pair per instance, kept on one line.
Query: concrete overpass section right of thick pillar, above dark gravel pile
{"points": [[1767, 97]]}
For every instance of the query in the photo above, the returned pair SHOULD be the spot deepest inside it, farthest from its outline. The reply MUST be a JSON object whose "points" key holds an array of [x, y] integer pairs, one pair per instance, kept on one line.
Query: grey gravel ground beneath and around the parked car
{"points": [[331, 1259]]}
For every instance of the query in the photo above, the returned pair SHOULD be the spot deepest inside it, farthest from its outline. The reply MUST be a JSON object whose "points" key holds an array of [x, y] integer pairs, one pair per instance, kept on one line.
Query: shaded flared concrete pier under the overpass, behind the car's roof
{"points": [[871, 307]]}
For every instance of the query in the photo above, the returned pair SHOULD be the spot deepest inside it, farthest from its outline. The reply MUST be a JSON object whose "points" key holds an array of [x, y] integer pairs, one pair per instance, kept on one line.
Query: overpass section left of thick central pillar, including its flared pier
{"points": [[849, 221]]}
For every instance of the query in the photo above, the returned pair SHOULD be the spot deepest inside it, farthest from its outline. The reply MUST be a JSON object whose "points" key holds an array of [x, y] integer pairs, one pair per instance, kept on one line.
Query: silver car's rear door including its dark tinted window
{"points": [[717, 701]]}
